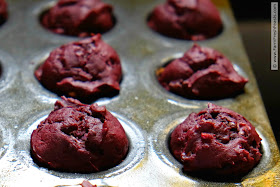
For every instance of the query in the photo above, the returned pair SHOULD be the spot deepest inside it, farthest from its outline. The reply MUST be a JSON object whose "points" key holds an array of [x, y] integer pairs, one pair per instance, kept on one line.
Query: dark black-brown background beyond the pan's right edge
{"points": [[253, 18]]}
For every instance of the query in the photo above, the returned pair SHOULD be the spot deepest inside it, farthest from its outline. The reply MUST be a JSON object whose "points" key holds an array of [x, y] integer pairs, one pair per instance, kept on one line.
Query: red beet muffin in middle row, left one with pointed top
{"points": [[86, 70]]}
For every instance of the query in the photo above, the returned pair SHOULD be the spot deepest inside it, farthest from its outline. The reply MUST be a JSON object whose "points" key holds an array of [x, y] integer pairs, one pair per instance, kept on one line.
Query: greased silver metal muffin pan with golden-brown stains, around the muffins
{"points": [[147, 112]]}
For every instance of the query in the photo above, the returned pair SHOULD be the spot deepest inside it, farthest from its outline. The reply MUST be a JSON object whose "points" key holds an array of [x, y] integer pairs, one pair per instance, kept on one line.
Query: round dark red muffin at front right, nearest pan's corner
{"points": [[216, 140]]}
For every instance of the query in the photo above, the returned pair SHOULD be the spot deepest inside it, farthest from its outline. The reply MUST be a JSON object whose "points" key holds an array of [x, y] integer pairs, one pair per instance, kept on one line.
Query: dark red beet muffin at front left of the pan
{"points": [[79, 138]]}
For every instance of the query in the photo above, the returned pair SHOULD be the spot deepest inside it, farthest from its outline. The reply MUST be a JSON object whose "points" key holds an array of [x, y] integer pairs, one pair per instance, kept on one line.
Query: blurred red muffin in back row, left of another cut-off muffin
{"points": [[79, 17]]}
